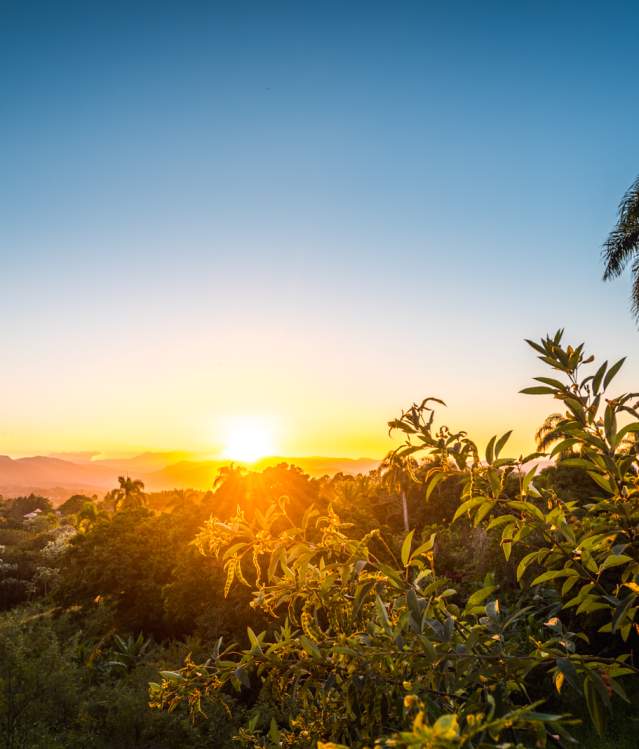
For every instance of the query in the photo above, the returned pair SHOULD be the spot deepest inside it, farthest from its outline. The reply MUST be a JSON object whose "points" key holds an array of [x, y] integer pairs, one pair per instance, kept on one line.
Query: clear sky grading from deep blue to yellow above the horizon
{"points": [[308, 215]]}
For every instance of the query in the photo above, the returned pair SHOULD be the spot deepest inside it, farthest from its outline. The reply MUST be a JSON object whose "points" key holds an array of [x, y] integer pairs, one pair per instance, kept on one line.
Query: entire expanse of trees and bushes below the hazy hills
{"points": [[454, 597]]}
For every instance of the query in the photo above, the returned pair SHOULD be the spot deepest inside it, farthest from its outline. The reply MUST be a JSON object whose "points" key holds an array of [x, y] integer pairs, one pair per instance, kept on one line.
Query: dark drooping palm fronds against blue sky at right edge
{"points": [[622, 244]]}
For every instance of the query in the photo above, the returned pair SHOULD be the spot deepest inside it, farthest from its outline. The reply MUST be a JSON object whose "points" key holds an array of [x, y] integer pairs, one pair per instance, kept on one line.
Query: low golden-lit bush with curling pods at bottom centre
{"points": [[352, 622]]}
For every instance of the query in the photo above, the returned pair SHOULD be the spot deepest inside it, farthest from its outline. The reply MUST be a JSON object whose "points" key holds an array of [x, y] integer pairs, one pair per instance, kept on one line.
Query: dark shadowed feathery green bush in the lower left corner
{"points": [[58, 691]]}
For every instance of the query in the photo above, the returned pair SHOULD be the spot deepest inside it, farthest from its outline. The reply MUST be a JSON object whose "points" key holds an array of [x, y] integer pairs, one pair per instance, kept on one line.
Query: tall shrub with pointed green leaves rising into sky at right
{"points": [[585, 551]]}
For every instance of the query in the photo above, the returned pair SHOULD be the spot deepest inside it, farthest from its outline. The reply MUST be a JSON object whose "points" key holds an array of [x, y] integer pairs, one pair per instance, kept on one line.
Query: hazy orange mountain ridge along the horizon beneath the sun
{"points": [[57, 478]]}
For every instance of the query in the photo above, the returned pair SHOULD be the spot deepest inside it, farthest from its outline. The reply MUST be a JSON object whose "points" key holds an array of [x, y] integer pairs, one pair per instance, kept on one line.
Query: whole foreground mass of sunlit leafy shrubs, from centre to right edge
{"points": [[463, 666]]}
